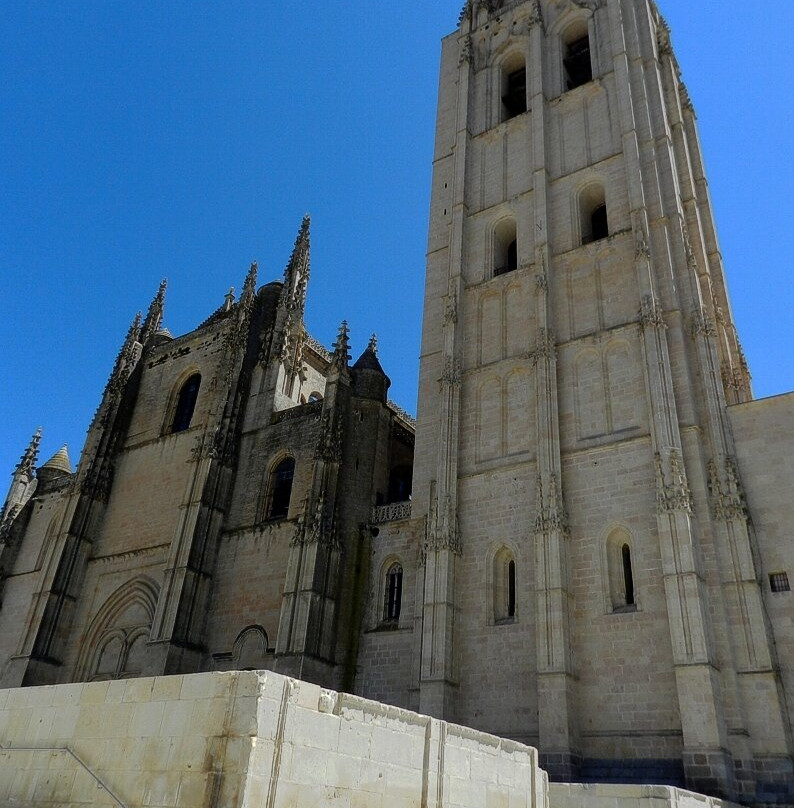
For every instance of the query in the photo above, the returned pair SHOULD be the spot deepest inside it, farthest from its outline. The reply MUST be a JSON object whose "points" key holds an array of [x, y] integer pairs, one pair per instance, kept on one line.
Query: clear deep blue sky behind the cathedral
{"points": [[141, 140]]}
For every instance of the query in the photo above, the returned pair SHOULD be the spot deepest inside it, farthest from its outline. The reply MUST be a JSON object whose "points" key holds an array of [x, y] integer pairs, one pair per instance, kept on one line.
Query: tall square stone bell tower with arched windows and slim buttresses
{"points": [[589, 581]]}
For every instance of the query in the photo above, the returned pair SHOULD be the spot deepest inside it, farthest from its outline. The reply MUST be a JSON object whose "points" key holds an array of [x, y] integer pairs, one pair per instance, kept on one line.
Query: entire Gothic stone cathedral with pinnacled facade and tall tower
{"points": [[581, 544]]}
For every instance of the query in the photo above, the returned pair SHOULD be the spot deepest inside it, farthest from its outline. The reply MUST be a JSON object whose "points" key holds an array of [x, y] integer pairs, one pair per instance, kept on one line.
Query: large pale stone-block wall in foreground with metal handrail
{"points": [[247, 739]]}
